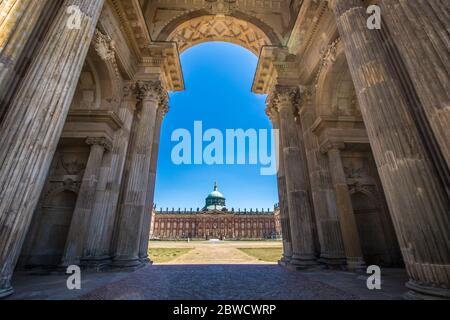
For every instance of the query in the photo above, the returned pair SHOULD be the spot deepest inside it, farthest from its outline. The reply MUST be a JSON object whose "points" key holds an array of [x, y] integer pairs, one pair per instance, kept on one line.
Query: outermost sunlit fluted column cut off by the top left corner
{"points": [[18, 19]]}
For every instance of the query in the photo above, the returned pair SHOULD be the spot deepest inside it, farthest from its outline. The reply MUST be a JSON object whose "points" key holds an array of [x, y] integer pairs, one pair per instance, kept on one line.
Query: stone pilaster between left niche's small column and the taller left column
{"points": [[96, 251]]}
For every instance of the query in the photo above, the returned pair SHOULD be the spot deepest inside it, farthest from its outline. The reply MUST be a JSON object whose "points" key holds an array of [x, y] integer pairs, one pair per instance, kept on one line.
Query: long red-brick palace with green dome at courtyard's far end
{"points": [[215, 221]]}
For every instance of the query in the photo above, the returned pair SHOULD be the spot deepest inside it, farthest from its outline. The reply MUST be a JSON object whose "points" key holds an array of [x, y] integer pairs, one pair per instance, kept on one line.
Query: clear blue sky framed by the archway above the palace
{"points": [[218, 78]]}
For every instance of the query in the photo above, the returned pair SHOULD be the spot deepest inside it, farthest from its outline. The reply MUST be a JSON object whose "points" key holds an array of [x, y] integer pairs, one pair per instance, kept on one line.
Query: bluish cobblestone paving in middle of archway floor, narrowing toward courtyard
{"points": [[217, 282]]}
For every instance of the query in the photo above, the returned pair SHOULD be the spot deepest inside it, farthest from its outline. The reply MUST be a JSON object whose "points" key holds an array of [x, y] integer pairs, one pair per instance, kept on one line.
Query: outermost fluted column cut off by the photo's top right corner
{"points": [[420, 31]]}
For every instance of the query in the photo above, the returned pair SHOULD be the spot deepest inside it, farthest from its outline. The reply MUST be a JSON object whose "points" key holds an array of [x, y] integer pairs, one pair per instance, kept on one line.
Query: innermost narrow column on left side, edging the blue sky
{"points": [[145, 229]]}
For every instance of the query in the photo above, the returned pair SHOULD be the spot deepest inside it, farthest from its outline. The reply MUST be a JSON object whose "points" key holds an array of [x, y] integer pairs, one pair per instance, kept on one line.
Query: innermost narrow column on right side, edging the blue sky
{"points": [[281, 179]]}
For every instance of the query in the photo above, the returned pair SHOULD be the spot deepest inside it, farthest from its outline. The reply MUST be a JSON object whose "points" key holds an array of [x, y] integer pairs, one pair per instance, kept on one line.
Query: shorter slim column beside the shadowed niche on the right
{"points": [[347, 220]]}
